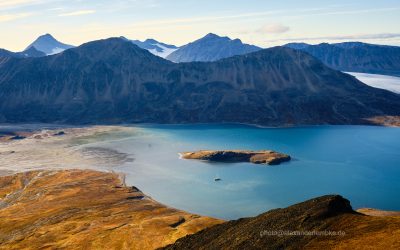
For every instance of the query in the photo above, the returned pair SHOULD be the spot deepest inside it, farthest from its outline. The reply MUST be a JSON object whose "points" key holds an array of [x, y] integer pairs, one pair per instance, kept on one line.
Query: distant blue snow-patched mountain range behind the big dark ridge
{"points": [[347, 57]]}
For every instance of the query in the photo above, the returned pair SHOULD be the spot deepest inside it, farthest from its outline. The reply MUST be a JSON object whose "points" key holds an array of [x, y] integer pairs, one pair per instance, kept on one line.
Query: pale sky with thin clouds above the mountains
{"points": [[264, 23]]}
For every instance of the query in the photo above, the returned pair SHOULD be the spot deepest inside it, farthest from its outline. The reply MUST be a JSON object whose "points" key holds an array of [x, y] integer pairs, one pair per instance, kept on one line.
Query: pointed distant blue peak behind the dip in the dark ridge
{"points": [[211, 48]]}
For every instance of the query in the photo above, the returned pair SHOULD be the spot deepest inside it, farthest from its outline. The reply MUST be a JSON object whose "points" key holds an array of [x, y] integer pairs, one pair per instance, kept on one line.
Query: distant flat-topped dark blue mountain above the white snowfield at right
{"points": [[355, 56]]}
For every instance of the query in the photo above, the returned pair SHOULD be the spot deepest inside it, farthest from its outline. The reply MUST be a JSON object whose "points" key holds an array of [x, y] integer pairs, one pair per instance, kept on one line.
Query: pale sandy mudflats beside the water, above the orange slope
{"points": [[65, 148]]}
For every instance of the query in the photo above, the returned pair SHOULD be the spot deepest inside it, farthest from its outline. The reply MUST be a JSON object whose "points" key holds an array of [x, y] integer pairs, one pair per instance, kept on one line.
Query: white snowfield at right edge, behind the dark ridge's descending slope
{"points": [[390, 83]]}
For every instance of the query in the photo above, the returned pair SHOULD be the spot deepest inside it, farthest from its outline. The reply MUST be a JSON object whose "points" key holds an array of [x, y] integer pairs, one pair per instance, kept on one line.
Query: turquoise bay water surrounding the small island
{"points": [[362, 163]]}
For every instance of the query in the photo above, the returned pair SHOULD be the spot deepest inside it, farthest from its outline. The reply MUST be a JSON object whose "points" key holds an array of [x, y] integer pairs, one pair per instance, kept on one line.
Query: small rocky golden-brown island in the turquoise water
{"points": [[256, 157]]}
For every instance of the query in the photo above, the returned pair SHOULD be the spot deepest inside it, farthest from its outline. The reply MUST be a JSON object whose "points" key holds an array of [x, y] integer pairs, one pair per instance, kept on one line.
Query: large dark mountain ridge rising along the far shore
{"points": [[113, 80]]}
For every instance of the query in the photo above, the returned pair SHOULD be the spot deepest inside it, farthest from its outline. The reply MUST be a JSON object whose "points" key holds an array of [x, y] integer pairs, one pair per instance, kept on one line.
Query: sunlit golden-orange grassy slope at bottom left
{"points": [[81, 209]]}
